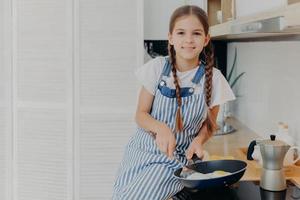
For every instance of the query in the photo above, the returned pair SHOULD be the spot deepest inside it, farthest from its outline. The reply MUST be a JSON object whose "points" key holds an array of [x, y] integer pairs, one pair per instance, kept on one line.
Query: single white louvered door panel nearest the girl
{"points": [[109, 38]]}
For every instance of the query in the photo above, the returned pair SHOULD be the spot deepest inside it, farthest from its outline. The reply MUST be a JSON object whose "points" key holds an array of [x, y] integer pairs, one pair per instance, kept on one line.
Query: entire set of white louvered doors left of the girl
{"points": [[67, 95]]}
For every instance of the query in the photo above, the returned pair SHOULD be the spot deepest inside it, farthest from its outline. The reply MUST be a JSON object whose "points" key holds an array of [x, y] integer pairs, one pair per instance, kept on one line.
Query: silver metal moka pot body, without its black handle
{"points": [[272, 175]]}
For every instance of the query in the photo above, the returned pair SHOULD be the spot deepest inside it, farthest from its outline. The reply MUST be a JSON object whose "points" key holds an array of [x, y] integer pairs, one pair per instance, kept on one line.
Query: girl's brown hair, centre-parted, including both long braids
{"points": [[207, 54]]}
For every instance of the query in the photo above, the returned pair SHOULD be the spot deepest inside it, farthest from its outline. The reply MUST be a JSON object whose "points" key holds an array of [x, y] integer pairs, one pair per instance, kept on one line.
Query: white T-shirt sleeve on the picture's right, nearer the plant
{"points": [[221, 92]]}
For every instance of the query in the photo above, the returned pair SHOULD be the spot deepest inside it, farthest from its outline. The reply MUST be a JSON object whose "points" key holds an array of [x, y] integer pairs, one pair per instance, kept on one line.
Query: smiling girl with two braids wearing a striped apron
{"points": [[176, 111]]}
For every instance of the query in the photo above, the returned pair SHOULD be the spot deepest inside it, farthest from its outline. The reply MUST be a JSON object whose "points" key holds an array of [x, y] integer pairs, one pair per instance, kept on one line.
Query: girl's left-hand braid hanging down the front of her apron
{"points": [[172, 53]]}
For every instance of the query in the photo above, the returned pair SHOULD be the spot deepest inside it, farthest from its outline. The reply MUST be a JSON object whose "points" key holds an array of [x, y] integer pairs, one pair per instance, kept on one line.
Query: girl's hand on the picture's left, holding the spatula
{"points": [[165, 140]]}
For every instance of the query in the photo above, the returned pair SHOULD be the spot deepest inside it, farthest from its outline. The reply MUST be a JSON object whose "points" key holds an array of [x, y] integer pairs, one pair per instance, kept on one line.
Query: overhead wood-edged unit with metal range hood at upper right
{"points": [[286, 24]]}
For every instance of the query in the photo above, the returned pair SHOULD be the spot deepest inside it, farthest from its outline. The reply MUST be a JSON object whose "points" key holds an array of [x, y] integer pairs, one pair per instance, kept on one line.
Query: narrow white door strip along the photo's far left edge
{"points": [[5, 106]]}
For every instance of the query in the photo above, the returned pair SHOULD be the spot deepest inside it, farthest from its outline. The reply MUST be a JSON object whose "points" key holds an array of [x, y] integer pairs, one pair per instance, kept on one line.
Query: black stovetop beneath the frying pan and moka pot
{"points": [[244, 190]]}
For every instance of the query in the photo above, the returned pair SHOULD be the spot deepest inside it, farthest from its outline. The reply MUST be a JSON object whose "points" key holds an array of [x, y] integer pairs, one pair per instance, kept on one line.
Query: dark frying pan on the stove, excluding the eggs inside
{"points": [[235, 167]]}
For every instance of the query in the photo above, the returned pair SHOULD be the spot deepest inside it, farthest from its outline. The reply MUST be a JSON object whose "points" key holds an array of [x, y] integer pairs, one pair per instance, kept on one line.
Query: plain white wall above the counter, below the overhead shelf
{"points": [[270, 88]]}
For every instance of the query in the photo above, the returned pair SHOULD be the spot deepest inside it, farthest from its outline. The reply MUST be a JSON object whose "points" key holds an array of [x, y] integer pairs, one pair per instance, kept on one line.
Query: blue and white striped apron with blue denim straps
{"points": [[145, 173]]}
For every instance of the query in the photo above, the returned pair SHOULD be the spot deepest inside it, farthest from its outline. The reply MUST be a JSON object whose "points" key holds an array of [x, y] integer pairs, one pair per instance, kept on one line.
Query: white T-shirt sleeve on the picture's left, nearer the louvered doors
{"points": [[149, 73]]}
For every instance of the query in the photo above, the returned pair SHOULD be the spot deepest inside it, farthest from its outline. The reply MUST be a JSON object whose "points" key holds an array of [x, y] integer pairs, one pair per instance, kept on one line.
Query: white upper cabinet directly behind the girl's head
{"points": [[157, 14]]}
